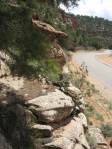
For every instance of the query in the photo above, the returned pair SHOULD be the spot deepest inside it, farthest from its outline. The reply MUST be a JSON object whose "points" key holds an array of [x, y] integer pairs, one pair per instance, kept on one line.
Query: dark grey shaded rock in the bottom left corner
{"points": [[3, 143]]}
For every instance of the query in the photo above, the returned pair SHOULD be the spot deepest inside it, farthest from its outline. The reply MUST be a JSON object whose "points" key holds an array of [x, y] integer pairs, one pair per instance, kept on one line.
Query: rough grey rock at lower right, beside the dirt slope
{"points": [[97, 134]]}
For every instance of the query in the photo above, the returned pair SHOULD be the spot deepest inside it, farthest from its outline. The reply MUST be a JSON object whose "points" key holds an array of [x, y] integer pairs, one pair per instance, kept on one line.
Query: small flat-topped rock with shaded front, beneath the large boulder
{"points": [[41, 131]]}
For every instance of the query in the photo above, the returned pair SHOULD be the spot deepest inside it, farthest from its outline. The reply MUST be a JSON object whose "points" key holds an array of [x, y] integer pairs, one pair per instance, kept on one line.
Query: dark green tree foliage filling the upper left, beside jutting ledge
{"points": [[27, 46]]}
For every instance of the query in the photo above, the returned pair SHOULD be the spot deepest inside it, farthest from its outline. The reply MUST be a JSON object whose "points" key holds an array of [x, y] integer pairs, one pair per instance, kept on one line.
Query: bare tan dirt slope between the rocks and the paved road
{"points": [[99, 100]]}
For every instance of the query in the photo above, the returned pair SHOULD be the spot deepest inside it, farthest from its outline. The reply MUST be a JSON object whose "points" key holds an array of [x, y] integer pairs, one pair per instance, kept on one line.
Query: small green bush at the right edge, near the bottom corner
{"points": [[106, 130]]}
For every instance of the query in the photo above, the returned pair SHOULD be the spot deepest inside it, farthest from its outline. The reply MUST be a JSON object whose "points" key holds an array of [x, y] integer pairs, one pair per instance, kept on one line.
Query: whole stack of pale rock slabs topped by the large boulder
{"points": [[58, 127]]}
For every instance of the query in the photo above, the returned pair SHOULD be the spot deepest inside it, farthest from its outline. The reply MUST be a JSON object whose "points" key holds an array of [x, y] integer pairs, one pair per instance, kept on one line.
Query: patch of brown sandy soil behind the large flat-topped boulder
{"points": [[27, 88]]}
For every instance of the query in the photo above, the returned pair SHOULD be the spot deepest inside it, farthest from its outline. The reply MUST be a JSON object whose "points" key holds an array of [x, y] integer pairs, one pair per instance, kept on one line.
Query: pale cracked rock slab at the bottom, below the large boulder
{"points": [[67, 136]]}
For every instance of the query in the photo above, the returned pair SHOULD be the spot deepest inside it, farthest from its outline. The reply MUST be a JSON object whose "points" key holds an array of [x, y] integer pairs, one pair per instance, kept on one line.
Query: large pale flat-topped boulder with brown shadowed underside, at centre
{"points": [[53, 107]]}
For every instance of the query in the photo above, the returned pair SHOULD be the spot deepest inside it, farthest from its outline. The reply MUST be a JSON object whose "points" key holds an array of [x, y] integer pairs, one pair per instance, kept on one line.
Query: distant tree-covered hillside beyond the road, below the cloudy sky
{"points": [[93, 31]]}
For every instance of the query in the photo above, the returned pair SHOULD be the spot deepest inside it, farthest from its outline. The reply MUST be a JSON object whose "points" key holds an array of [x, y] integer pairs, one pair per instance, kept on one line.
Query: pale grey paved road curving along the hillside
{"points": [[96, 69]]}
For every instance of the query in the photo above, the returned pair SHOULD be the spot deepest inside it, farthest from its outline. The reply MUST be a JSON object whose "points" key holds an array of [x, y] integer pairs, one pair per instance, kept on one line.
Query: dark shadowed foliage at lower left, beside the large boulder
{"points": [[14, 128]]}
